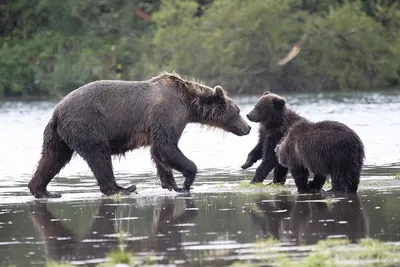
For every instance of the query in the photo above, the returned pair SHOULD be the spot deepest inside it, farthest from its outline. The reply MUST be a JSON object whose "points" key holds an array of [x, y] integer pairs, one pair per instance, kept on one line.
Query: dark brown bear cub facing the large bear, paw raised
{"points": [[275, 120]]}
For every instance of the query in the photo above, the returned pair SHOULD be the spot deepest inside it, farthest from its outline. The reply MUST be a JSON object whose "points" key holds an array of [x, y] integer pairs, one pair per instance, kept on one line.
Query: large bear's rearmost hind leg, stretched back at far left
{"points": [[54, 157]]}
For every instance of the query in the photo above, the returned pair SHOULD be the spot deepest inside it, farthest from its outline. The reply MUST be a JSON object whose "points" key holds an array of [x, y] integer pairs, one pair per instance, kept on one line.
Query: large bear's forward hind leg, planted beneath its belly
{"points": [[98, 157]]}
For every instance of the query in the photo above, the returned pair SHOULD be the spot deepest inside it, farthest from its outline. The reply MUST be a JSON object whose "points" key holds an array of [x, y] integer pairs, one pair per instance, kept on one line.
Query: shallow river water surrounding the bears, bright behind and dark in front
{"points": [[220, 221]]}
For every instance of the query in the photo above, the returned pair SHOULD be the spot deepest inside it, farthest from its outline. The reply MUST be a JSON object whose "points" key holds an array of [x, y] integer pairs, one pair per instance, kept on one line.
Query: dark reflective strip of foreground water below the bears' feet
{"points": [[205, 229]]}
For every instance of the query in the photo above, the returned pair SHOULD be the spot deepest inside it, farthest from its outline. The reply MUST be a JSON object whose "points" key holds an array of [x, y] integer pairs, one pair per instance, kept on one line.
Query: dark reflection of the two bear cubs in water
{"points": [[306, 219]]}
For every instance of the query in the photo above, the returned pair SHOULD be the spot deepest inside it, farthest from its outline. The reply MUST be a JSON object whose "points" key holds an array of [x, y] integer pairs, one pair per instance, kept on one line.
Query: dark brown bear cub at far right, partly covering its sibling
{"points": [[324, 148]]}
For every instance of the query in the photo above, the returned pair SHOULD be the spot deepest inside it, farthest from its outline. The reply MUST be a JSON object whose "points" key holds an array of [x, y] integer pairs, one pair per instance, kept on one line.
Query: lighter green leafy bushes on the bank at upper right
{"points": [[240, 44]]}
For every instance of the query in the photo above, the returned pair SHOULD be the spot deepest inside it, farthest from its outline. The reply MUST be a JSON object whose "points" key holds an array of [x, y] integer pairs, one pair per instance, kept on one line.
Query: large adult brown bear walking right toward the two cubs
{"points": [[106, 118]]}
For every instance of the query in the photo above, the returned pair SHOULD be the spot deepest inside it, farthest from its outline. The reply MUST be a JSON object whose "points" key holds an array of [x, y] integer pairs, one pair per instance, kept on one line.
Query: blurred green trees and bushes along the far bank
{"points": [[49, 48]]}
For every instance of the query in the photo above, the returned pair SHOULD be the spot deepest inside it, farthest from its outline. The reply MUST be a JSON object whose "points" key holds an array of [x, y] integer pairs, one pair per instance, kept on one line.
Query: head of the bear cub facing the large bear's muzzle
{"points": [[268, 109]]}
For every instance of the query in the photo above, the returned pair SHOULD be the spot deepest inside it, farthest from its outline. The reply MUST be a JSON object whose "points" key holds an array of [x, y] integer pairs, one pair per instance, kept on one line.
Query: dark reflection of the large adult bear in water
{"points": [[63, 244]]}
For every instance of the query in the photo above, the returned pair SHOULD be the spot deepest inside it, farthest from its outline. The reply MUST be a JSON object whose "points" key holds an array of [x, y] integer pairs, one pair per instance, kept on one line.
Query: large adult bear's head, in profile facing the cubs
{"points": [[220, 111]]}
